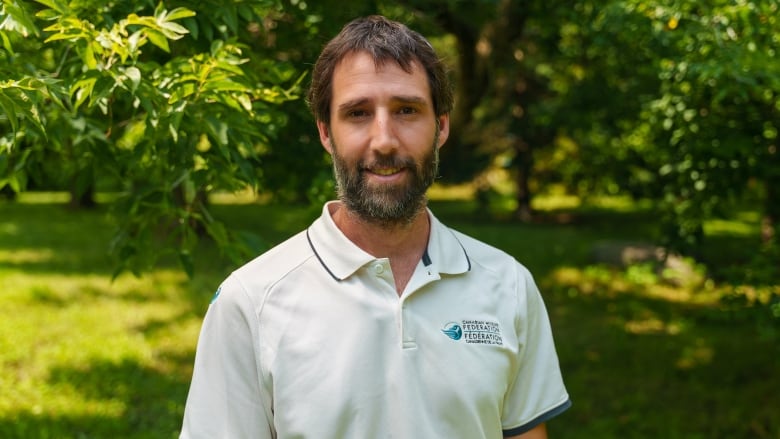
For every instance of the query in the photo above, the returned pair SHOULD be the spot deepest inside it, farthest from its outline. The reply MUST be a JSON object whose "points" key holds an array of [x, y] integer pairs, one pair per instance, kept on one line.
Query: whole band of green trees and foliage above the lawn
{"points": [[676, 102]]}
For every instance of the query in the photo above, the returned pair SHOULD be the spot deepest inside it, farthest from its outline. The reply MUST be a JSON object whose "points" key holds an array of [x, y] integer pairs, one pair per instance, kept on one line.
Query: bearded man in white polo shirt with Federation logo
{"points": [[377, 321]]}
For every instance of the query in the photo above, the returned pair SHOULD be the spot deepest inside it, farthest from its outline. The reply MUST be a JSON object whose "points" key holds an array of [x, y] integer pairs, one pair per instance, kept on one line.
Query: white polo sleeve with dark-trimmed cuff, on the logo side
{"points": [[538, 392]]}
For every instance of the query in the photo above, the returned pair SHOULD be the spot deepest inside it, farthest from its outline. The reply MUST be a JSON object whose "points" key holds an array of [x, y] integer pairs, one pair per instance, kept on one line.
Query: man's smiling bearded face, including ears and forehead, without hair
{"points": [[384, 138]]}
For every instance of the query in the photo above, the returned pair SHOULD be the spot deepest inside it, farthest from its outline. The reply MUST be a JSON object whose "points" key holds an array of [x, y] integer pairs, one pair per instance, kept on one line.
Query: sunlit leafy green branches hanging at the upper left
{"points": [[165, 103]]}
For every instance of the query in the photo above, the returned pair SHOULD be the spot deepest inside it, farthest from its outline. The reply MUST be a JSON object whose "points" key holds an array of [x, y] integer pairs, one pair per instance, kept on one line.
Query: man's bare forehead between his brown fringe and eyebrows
{"points": [[357, 76]]}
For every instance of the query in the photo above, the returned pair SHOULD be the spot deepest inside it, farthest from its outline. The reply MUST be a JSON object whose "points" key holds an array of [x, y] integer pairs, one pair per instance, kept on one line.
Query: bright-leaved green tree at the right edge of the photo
{"points": [[719, 111]]}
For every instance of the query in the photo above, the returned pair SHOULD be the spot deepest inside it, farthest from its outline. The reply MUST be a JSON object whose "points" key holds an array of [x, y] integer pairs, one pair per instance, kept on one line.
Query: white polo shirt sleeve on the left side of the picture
{"points": [[226, 396]]}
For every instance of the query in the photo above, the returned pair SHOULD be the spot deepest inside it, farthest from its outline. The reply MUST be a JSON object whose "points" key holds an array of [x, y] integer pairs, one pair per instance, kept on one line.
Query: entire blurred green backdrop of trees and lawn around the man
{"points": [[624, 150]]}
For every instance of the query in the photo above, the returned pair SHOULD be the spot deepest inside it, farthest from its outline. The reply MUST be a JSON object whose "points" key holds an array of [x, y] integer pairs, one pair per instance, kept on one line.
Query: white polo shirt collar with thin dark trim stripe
{"points": [[342, 258]]}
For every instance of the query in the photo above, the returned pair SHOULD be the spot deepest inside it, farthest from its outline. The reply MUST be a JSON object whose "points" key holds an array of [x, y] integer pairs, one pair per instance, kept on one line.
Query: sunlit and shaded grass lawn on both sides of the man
{"points": [[84, 357]]}
